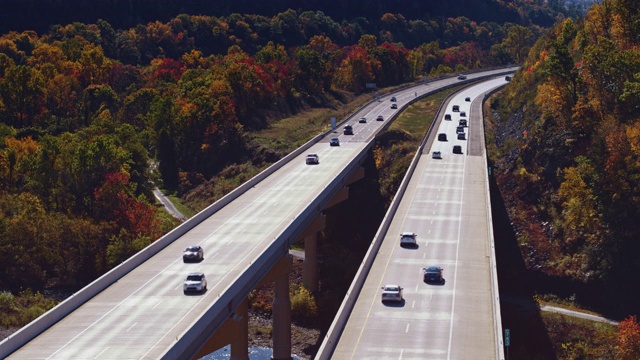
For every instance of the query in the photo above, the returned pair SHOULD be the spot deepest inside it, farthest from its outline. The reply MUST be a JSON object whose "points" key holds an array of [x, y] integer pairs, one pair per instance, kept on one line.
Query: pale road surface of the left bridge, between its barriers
{"points": [[142, 314]]}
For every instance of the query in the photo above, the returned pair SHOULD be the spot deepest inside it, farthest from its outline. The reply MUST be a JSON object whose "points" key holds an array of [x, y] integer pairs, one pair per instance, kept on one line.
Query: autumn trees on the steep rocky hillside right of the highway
{"points": [[568, 157]]}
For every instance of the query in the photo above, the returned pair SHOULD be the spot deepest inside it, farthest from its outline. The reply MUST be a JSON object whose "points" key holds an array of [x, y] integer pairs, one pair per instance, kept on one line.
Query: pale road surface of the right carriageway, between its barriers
{"points": [[445, 204]]}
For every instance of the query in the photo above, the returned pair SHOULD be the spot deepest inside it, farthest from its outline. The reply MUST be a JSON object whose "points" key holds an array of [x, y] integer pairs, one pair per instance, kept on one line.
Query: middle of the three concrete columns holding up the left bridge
{"points": [[281, 319]]}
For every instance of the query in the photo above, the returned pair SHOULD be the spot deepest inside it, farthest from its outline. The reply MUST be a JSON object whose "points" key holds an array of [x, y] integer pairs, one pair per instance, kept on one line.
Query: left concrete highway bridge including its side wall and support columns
{"points": [[138, 309]]}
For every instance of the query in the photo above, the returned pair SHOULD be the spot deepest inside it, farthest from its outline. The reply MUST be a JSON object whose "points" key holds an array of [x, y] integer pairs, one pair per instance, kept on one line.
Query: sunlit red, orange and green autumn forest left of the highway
{"points": [[92, 117]]}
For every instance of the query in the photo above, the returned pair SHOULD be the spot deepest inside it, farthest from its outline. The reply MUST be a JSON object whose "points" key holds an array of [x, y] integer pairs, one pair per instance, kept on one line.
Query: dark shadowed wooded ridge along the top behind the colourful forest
{"points": [[39, 15]]}
